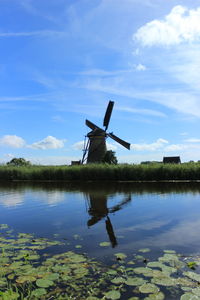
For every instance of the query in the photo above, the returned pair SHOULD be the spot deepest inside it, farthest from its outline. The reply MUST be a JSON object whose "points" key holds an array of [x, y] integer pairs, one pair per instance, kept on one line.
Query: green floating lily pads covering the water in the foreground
{"points": [[28, 270]]}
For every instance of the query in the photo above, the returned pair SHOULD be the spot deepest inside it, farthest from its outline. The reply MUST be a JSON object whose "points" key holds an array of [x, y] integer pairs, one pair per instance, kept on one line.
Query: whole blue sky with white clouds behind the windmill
{"points": [[61, 61]]}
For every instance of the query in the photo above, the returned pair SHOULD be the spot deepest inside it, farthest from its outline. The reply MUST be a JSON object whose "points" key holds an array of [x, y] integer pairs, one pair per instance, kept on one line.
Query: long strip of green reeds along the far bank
{"points": [[98, 172]]}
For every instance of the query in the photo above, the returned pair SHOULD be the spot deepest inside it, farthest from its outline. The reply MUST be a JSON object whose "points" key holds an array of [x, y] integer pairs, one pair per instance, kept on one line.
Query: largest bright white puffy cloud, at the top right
{"points": [[181, 25]]}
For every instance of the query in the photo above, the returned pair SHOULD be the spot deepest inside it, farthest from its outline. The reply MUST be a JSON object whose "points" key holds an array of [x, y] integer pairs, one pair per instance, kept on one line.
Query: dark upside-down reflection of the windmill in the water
{"points": [[98, 209]]}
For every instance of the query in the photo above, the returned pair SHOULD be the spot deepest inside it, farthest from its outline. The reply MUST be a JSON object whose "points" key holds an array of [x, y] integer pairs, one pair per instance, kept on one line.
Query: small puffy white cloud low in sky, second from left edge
{"points": [[49, 142]]}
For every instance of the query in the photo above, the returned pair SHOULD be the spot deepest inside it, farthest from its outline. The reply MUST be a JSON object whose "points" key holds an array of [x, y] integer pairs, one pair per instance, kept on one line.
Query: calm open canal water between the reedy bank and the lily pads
{"points": [[129, 216]]}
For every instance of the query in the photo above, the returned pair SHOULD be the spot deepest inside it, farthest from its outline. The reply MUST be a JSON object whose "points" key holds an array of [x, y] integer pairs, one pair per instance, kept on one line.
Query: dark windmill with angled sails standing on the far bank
{"points": [[95, 143]]}
